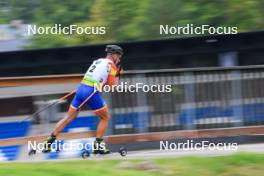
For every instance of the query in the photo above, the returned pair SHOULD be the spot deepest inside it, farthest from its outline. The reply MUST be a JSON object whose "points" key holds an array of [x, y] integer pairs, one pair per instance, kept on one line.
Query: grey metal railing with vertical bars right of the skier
{"points": [[200, 99]]}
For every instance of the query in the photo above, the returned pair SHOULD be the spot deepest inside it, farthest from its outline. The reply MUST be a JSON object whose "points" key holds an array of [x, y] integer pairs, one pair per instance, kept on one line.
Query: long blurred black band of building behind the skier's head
{"points": [[206, 51]]}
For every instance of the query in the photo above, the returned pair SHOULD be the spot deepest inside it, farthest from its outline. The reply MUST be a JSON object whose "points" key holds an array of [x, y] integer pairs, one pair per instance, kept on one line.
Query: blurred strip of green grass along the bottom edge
{"points": [[233, 165]]}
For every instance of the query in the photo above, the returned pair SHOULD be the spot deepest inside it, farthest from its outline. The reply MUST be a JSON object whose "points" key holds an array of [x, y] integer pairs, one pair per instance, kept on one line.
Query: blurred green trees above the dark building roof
{"points": [[129, 20]]}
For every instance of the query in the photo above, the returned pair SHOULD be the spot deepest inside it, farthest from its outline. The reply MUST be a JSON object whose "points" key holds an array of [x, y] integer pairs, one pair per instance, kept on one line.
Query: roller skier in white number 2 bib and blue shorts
{"points": [[103, 71]]}
